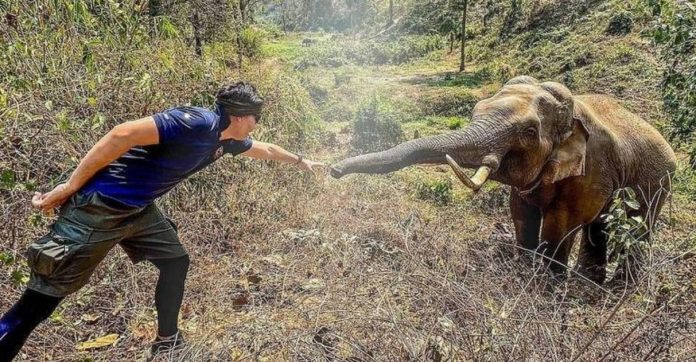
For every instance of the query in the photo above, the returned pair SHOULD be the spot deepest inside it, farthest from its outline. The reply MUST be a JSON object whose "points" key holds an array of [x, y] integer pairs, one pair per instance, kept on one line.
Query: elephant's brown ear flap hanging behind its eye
{"points": [[568, 158]]}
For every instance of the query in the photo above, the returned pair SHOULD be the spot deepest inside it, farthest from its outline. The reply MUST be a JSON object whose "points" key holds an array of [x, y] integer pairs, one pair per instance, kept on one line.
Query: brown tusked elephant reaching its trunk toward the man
{"points": [[564, 156]]}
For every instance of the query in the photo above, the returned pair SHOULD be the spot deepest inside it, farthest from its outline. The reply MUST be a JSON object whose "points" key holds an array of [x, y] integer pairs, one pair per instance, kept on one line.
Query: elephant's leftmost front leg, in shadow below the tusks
{"points": [[527, 220]]}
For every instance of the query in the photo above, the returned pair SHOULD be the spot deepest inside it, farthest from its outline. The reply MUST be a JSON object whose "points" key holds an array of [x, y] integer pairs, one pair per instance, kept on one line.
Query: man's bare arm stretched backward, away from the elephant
{"points": [[120, 139]]}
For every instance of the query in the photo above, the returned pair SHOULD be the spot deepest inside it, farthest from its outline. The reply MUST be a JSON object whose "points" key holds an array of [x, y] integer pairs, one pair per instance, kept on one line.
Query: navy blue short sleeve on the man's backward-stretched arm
{"points": [[177, 125]]}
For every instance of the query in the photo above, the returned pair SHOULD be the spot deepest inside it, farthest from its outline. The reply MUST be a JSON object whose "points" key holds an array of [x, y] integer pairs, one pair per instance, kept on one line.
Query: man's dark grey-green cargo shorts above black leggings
{"points": [[63, 260]]}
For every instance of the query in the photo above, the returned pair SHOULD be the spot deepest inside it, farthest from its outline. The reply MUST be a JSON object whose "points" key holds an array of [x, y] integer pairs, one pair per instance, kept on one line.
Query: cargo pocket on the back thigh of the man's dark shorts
{"points": [[48, 253]]}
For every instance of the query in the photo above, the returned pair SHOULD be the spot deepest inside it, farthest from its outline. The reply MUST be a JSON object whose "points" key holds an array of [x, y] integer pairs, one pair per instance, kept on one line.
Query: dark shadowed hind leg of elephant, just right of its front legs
{"points": [[592, 261]]}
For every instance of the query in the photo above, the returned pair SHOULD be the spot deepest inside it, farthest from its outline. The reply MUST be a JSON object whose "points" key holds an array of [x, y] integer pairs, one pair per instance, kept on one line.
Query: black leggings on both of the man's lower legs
{"points": [[34, 307]]}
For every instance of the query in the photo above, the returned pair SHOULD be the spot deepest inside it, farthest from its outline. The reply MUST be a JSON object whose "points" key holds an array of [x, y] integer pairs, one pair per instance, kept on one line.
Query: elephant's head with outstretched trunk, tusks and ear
{"points": [[525, 133]]}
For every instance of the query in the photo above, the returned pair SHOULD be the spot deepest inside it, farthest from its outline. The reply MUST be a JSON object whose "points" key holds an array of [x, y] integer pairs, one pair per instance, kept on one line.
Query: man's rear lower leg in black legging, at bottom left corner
{"points": [[16, 325]]}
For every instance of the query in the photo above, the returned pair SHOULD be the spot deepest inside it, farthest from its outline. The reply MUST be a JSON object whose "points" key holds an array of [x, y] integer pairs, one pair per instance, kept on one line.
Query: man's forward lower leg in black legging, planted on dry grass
{"points": [[169, 293]]}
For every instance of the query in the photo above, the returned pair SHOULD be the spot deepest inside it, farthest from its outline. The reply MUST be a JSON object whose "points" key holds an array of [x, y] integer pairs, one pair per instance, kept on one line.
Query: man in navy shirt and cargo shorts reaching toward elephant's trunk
{"points": [[109, 198]]}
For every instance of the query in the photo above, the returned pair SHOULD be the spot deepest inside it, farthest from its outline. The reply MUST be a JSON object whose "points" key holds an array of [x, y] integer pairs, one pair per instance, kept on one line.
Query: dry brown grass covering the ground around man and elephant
{"points": [[357, 268]]}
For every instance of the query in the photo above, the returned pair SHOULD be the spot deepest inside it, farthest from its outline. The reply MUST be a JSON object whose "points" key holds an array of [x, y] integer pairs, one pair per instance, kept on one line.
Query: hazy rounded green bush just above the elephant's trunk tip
{"points": [[375, 128]]}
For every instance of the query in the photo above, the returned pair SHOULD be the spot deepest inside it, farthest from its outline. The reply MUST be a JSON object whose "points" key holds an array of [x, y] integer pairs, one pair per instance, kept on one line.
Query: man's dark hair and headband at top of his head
{"points": [[240, 99]]}
